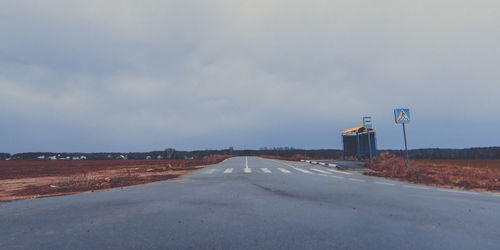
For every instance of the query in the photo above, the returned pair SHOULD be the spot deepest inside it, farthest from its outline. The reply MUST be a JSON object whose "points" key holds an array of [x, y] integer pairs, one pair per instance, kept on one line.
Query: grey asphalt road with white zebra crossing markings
{"points": [[267, 205]]}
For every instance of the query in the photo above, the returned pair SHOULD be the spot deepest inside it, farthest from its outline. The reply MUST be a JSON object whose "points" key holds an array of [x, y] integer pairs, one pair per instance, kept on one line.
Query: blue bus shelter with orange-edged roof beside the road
{"points": [[359, 142]]}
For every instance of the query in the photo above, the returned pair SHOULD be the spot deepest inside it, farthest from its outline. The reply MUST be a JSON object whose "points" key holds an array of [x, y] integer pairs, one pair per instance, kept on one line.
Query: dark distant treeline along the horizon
{"points": [[431, 153]]}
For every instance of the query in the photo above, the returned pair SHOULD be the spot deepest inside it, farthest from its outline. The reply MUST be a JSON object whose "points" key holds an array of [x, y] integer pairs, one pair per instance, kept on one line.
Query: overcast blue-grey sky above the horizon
{"points": [[92, 76]]}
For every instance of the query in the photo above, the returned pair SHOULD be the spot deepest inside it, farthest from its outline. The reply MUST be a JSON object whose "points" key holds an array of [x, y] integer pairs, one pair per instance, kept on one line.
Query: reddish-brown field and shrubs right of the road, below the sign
{"points": [[481, 175]]}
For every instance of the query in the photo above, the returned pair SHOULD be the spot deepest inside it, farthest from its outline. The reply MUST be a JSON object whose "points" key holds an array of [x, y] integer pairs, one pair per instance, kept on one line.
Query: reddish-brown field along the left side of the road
{"points": [[33, 179]]}
